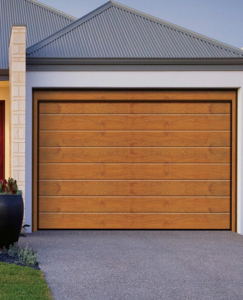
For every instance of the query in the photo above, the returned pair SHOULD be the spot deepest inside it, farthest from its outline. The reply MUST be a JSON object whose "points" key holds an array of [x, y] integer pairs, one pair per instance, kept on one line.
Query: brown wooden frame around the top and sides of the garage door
{"points": [[133, 95]]}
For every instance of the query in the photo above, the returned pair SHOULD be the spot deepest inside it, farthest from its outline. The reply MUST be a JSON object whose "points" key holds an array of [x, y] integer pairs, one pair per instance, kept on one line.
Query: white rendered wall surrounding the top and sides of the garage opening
{"points": [[166, 80]]}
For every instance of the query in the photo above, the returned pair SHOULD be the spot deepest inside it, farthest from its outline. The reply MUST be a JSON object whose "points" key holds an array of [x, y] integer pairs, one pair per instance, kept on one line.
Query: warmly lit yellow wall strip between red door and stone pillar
{"points": [[4, 95]]}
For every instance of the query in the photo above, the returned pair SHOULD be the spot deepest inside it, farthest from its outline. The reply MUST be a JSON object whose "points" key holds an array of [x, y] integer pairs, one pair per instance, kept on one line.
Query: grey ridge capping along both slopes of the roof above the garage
{"points": [[148, 17]]}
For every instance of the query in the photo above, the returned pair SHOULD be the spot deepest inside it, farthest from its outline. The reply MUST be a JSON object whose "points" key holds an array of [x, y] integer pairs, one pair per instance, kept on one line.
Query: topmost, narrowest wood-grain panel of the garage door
{"points": [[125, 107]]}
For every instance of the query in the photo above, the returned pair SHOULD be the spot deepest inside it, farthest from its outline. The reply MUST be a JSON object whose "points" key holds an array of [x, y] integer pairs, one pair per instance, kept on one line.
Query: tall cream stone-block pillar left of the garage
{"points": [[17, 76]]}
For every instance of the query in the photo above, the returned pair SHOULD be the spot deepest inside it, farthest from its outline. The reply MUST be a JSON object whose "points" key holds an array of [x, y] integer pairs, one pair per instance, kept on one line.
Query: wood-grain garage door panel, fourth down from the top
{"points": [[134, 155]]}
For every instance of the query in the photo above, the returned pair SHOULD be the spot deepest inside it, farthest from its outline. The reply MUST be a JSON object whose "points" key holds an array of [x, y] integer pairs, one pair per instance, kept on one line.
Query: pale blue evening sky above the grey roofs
{"points": [[218, 19]]}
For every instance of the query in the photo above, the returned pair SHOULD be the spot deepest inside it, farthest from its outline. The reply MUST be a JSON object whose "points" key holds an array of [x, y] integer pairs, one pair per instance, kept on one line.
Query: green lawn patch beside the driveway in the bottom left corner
{"points": [[22, 283]]}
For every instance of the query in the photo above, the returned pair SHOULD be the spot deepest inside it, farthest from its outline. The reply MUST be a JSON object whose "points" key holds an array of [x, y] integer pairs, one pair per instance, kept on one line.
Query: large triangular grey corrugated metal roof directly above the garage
{"points": [[116, 31]]}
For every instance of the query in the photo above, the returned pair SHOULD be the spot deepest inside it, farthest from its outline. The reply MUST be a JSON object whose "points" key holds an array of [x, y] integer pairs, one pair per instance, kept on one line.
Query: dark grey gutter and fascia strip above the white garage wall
{"points": [[137, 64]]}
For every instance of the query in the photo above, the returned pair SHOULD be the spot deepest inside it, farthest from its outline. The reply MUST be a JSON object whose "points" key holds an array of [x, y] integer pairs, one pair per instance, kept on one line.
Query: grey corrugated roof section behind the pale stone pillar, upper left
{"points": [[41, 21]]}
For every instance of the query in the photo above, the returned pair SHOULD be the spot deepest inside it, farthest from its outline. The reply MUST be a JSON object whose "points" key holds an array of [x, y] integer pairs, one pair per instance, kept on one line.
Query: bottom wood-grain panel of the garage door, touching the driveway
{"points": [[134, 221]]}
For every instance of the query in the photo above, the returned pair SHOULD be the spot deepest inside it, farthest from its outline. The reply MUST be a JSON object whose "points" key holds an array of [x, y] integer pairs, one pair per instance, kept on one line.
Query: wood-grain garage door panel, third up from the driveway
{"points": [[134, 188]]}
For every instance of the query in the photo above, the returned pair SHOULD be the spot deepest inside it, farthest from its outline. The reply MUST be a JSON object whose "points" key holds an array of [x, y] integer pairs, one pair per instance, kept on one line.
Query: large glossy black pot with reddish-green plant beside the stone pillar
{"points": [[11, 212]]}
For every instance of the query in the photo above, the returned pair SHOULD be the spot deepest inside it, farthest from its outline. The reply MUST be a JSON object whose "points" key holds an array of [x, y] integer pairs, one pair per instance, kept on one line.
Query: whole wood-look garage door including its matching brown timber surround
{"points": [[135, 159]]}
